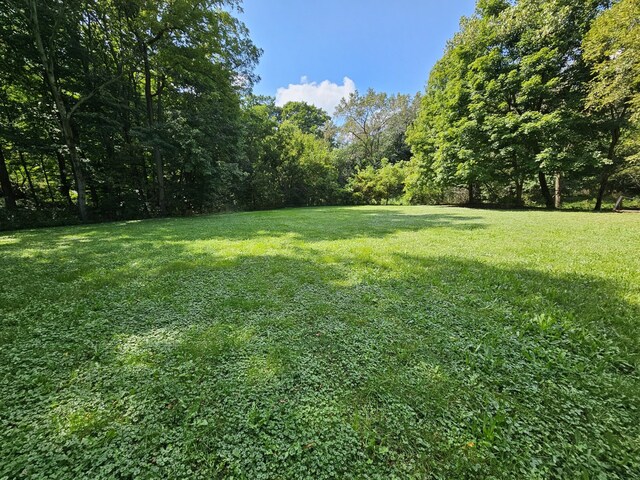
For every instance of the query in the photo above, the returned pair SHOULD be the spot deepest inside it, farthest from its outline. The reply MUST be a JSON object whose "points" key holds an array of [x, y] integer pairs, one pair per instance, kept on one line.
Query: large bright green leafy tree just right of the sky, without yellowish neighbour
{"points": [[505, 105]]}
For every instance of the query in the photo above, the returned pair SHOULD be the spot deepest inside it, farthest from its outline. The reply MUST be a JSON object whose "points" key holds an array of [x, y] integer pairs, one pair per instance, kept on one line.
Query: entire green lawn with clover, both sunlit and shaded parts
{"points": [[373, 342]]}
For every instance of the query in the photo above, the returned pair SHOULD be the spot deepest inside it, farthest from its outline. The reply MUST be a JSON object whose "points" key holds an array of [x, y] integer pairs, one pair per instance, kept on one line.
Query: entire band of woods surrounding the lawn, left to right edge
{"points": [[133, 108]]}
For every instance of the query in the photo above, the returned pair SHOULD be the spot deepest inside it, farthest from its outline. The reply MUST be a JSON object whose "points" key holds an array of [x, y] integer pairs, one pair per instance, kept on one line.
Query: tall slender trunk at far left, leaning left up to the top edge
{"points": [[63, 114]]}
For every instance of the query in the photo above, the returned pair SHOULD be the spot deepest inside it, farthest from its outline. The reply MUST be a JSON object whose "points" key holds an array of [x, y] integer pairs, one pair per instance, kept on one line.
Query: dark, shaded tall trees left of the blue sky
{"points": [[136, 103]]}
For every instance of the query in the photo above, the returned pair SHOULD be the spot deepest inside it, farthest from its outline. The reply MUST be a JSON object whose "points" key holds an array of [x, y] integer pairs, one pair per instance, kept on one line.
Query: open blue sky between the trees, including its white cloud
{"points": [[388, 45]]}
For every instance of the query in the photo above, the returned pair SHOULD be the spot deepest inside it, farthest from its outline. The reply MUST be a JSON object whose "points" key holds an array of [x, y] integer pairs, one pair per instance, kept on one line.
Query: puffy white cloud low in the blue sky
{"points": [[325, 95]]}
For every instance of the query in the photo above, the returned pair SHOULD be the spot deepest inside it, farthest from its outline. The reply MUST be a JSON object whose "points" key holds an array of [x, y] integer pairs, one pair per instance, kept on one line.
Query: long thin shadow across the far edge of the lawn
{"points": [[307, 224]]}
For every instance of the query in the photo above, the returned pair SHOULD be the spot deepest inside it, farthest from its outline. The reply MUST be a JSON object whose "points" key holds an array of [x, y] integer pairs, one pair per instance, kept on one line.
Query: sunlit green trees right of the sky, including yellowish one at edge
{"points": [[533, 99]]}
